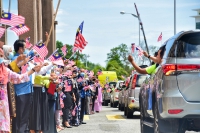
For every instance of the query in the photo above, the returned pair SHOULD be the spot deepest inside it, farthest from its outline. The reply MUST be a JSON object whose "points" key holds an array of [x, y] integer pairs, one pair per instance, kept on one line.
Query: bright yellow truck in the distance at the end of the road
{"points": [[107, 76]]}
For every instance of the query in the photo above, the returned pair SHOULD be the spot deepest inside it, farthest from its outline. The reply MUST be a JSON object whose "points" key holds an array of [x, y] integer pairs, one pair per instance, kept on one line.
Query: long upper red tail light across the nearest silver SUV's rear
{"points": [[170, 68]]}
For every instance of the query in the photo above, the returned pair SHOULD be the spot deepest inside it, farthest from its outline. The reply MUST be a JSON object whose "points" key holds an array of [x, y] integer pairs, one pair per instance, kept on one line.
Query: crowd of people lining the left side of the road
{"points": [[45, 96]]}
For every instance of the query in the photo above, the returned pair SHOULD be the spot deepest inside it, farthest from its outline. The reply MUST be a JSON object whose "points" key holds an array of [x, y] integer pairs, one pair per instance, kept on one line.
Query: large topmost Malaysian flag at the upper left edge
{"points": [[11, 19]]}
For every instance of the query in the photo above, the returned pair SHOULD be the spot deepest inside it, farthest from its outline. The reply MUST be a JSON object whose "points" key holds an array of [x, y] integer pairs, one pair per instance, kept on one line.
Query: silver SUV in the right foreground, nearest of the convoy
{"points": [[169, 99]]}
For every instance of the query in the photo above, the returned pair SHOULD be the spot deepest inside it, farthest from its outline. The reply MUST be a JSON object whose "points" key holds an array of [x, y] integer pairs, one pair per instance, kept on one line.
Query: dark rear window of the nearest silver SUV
{"points": [[189, 46]]}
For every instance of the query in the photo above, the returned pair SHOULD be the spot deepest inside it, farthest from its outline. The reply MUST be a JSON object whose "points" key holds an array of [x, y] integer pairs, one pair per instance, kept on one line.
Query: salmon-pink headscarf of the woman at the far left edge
{"points": [[3, 71]]}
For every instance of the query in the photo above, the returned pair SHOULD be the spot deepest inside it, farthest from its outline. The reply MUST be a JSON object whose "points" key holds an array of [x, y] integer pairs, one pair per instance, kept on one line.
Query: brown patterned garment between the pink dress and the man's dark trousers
{"points": [[11, 99]]}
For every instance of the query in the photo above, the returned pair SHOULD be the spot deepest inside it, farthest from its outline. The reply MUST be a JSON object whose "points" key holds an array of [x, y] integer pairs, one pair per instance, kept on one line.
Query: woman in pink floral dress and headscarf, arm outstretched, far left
{"points": [[5, 76]]}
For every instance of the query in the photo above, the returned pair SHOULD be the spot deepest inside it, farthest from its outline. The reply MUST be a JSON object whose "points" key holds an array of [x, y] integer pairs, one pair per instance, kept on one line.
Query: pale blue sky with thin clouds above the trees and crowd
{"points": [[105, 28]]}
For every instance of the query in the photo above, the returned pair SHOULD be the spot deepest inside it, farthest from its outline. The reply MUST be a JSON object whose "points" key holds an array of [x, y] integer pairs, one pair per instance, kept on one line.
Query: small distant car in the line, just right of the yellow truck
{"points": [[114, 94]]}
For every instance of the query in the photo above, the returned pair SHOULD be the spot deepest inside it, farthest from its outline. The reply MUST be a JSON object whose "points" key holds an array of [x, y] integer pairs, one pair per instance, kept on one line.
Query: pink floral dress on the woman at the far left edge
{"points": [[4, 107]]}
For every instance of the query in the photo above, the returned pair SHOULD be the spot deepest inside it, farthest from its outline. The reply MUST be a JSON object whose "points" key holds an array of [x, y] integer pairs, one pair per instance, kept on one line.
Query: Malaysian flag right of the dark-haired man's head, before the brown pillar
{"points": [[41, 49]]}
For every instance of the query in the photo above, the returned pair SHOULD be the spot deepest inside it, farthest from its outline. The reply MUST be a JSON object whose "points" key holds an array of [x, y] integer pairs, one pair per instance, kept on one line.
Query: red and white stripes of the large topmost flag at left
{"points": [[15, 20]]}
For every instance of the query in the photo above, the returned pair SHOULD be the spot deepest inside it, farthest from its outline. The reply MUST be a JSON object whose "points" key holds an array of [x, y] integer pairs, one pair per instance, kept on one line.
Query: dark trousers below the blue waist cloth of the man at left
{"points": [[23, 105]]}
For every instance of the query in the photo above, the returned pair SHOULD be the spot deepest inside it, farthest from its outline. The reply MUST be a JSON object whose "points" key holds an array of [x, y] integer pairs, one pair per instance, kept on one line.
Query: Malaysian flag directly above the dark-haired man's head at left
{"points": [[20, 29]]}
